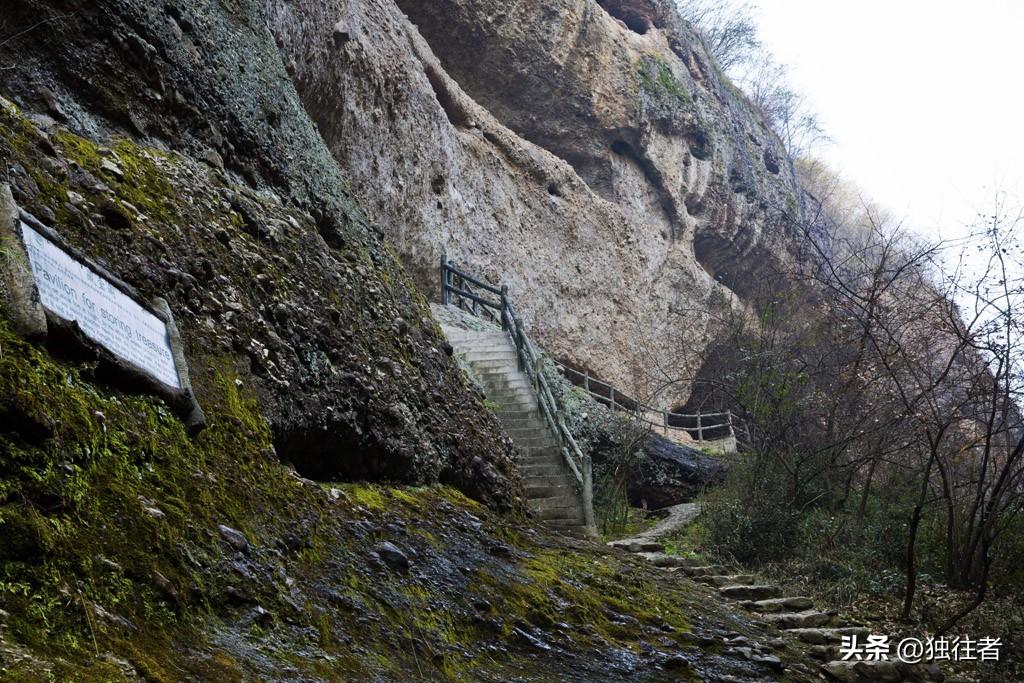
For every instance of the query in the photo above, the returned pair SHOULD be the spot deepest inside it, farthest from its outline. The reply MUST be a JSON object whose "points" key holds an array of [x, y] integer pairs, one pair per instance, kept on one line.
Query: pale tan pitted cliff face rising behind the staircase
{"points": [[596, 162]]}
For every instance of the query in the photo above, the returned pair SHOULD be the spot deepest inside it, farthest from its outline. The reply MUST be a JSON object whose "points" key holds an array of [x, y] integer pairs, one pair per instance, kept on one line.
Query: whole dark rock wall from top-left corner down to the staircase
{"points": [[168, 143]]}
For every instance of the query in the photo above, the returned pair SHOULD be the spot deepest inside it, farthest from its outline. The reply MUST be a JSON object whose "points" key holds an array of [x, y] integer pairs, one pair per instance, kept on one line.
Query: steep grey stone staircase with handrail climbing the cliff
{"points": [[551, 490]]}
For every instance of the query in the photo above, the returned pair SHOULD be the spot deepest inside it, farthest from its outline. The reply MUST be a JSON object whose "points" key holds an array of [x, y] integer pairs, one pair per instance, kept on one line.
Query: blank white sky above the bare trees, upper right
{"points": [[924, 101]]}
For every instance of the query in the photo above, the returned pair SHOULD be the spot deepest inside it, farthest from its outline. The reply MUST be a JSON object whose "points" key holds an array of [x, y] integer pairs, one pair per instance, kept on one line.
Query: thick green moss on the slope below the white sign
{"points": [[84, 471]]}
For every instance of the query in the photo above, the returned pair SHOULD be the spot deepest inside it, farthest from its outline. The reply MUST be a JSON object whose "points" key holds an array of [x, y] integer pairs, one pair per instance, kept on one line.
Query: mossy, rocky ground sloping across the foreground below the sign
{"points": [[134, 552]]}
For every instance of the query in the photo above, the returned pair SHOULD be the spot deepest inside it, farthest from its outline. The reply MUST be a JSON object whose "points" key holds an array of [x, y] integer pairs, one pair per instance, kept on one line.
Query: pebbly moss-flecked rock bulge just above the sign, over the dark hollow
{"points": [[335, 343]]}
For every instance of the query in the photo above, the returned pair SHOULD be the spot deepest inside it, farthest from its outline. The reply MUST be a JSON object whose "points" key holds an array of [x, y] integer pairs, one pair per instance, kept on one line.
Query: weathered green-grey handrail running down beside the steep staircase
{"points": [[459, 286]]}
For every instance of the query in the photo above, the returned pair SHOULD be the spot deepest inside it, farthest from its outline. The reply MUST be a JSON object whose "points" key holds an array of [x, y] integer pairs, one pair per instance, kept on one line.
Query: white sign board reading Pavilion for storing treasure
{"points": [[106, 315]]}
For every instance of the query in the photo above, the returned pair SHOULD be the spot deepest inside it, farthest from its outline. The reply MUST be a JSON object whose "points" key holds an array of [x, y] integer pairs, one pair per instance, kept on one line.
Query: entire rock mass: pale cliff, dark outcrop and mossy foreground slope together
{"points": [[252, 162]]}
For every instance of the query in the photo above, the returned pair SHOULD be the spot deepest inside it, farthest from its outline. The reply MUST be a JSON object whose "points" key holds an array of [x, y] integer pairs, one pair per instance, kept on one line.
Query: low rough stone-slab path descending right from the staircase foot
{"points": [[800, 624]]}
